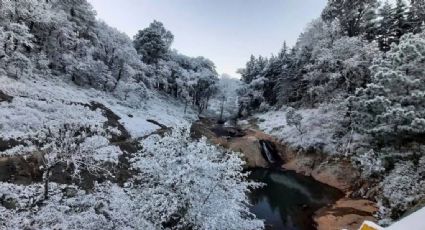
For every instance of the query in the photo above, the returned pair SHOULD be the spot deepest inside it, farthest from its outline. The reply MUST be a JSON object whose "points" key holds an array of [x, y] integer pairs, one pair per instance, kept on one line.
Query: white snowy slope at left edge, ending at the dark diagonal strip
{"points": [[39, 104]]}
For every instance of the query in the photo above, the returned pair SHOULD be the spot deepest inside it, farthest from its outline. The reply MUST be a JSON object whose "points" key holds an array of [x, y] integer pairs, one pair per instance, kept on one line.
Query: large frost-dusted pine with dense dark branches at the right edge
{"points": [[391, 107]]}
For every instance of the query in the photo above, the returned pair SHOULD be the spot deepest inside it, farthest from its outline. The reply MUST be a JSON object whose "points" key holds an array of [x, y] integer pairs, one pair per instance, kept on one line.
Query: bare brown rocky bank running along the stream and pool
{"points": [[346, 213]]}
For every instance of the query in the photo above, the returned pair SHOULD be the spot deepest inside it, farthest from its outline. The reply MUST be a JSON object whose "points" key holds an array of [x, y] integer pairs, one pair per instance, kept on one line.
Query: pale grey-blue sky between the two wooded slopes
{"points": [[225, 31]]}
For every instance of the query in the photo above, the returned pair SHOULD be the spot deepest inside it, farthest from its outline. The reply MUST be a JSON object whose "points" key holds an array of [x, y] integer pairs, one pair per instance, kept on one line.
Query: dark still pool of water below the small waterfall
{"points": [[288, 200]]}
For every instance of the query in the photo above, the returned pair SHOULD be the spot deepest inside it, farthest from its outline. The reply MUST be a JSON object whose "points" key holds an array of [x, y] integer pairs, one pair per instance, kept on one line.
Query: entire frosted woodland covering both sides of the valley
{"points": [[95, 126]]}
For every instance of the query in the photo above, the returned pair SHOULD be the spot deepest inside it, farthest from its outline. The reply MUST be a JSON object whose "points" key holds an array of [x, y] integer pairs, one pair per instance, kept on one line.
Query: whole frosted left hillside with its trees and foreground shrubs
{"points": [[94, 128]]}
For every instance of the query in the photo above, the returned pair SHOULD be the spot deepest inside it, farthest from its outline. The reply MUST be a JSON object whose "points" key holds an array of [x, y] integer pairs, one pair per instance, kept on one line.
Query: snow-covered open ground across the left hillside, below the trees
{"points": [[39, 103]]}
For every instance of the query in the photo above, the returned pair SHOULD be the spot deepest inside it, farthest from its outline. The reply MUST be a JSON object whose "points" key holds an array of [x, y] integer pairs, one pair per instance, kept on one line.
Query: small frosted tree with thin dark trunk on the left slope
{"points": [[74, 147]]}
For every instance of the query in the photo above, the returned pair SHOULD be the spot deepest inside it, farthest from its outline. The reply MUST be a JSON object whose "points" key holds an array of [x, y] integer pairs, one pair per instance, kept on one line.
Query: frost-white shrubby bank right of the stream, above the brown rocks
{"points": [[319, 128]]}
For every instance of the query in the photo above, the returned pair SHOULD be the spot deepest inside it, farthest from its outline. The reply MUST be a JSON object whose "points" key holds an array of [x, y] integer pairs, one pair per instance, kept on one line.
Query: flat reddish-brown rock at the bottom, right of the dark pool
{"points": [[345, 214]]}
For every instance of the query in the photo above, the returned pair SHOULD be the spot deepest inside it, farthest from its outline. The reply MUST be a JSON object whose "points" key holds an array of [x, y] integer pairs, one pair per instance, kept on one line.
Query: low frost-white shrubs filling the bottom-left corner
{"points": [[106, 207]]}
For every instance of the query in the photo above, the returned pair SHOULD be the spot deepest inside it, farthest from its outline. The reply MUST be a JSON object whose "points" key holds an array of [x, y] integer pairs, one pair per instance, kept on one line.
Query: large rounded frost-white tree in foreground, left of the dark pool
{"points": [[191, 184]]}
